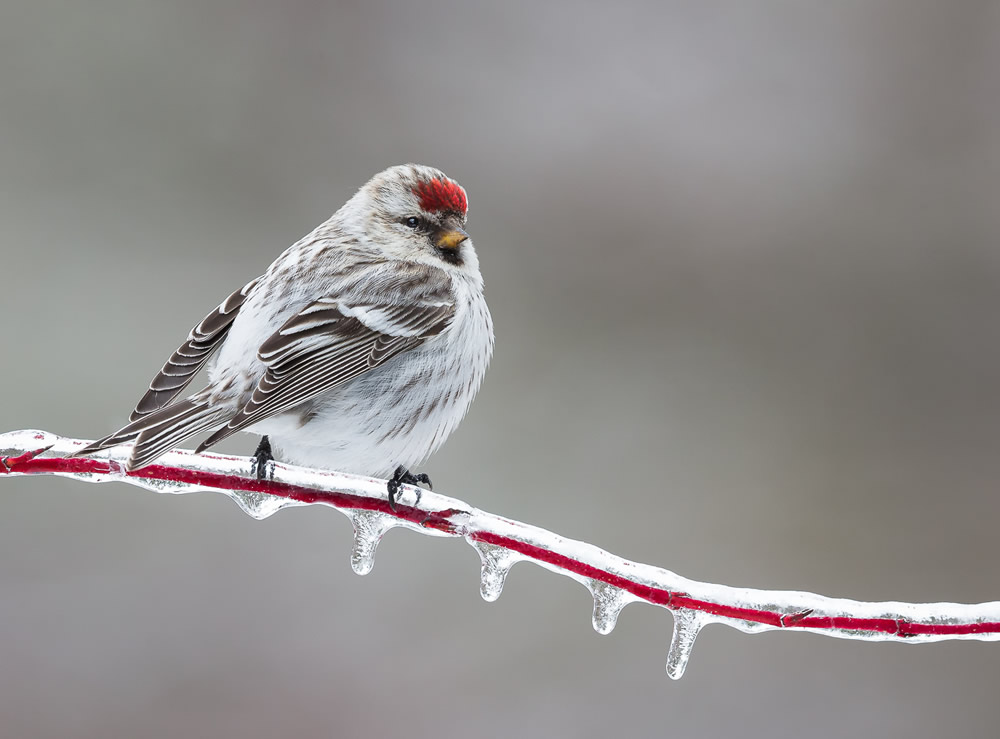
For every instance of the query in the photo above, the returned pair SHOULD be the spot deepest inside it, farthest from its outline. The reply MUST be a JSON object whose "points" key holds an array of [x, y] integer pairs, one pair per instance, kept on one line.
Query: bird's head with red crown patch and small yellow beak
{"points": [[415, 213]]}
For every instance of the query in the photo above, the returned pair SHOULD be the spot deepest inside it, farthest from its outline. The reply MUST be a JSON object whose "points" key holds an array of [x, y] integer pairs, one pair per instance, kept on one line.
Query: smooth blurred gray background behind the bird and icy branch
{"points": [[743, 263]]}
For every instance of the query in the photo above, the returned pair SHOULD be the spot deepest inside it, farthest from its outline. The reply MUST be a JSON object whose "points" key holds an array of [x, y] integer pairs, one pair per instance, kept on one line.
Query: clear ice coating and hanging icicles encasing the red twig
{"points": [[20, 447]]}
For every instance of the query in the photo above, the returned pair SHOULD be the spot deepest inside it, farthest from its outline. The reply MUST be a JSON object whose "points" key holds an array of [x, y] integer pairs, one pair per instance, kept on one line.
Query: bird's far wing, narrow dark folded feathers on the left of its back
{"points": [[191, 356]]}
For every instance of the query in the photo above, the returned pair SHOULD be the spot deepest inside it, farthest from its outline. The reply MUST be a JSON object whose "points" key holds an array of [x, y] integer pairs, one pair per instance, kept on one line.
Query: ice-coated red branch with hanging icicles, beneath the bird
{"points": [[614, 582]]}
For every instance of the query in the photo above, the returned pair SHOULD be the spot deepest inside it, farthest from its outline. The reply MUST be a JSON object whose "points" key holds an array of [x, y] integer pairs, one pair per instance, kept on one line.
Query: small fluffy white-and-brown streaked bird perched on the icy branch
{"points": [[360, 349]]}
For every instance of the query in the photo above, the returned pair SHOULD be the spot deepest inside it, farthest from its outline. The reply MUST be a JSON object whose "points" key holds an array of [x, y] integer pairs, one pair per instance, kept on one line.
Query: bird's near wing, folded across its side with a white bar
{"points": [[328, 343]]}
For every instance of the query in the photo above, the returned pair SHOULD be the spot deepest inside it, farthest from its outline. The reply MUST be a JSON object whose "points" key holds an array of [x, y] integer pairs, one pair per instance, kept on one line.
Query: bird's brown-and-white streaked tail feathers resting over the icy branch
{"points": [[160, 431]]}
